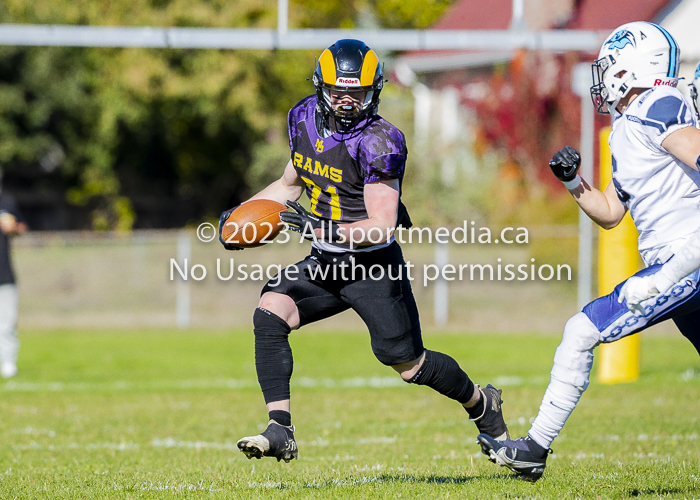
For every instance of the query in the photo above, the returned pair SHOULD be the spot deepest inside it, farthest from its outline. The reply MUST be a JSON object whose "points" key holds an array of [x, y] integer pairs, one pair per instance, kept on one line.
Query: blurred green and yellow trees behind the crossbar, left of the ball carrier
{"points": [[172, 134]]}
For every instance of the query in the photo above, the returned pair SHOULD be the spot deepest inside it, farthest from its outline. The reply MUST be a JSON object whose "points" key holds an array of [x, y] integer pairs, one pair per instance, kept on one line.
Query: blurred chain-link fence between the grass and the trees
{"points": [[97, 280]]}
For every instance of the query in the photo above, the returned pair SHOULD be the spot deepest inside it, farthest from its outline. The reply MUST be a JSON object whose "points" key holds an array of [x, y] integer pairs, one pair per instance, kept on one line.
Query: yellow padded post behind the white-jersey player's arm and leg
{"points": [[618, 259]]}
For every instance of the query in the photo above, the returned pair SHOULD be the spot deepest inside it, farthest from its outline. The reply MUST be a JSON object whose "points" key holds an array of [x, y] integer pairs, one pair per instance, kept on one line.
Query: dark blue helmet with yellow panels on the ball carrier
{"points": [[348, 66]]}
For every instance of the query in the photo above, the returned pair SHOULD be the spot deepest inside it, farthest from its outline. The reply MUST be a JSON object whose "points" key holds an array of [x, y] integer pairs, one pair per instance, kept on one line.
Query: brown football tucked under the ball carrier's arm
{"points": [[253, 224]]}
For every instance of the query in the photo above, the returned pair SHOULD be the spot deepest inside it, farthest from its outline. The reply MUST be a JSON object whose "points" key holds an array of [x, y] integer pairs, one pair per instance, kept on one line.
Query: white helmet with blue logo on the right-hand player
{"points": [[636, 55]]}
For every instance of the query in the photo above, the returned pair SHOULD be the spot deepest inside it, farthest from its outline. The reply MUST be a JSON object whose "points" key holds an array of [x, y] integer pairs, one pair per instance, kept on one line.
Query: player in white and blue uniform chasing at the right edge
{"points": [[656, 156]]}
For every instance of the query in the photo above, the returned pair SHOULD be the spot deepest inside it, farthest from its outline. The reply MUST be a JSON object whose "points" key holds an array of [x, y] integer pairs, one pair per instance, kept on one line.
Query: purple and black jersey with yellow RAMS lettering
{"points": [[336, 168]]}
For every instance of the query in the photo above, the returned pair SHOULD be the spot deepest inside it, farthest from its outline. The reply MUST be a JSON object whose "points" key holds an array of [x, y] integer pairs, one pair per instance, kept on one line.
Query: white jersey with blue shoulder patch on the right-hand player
{"points": [[661, 192]]}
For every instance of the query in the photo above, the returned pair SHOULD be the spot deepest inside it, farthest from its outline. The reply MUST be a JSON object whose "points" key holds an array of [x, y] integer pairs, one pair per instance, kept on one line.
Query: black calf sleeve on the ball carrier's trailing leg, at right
{"points": [[442, 373]]}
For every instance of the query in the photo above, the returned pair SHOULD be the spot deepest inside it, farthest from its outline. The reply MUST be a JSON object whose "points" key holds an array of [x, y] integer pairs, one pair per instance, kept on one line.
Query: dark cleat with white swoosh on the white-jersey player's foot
{"points": [[515, 455]]}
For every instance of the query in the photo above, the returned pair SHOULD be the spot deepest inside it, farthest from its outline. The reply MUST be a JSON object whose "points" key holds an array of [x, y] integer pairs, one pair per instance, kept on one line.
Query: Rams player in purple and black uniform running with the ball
{"points": [[350, 162]]}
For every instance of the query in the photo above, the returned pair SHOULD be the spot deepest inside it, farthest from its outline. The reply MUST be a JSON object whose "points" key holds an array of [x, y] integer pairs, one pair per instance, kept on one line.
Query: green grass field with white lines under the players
{"points": [[156, 414]]}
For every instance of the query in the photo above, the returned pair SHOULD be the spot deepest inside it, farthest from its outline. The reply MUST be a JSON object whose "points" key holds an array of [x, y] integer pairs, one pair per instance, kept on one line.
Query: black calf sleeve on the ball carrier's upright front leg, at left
{"points": [[273, 355]]}
